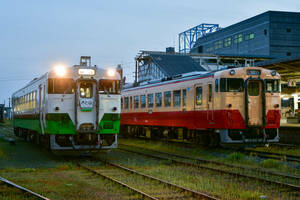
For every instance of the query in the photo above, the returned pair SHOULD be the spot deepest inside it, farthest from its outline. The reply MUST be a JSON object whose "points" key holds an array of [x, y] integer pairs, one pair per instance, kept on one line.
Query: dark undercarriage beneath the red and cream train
{"points": [[227, 138]]}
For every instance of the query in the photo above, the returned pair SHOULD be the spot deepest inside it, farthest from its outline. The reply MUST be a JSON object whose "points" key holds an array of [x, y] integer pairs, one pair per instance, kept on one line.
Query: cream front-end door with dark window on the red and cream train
{"points": [[255, 103]]}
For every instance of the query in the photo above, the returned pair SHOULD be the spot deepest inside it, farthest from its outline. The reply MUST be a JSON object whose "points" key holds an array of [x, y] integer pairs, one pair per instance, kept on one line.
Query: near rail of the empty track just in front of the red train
{"points": [[294, 187]]}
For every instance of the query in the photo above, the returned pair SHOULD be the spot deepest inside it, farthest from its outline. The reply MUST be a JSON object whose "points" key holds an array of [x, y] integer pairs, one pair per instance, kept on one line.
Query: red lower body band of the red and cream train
{"points": [[218, 119]]}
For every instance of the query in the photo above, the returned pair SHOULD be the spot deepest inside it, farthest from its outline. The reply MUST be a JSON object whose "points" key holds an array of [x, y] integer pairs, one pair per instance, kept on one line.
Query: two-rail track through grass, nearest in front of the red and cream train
{"points": [[174, 159]]}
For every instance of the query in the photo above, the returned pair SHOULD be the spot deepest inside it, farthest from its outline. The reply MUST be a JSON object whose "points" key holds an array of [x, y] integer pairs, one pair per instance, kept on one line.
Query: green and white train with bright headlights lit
{"points": [[74, 108]]}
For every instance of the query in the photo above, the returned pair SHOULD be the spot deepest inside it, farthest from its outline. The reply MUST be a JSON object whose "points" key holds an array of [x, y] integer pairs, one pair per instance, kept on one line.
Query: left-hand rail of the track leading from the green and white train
{"points": [[116, 181]]}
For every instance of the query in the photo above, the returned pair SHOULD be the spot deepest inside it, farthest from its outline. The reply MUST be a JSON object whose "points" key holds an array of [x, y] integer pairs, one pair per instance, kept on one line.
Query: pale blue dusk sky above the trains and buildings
{"points": [[36, 35]]}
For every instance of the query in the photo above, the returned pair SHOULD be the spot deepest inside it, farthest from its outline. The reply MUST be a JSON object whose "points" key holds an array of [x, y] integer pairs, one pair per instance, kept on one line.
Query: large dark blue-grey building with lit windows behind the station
{"points": [[273, 33]]}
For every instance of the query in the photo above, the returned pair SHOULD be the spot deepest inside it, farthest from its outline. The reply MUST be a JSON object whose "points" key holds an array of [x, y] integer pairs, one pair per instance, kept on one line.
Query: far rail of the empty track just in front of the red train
{"points": [[222, 164]]}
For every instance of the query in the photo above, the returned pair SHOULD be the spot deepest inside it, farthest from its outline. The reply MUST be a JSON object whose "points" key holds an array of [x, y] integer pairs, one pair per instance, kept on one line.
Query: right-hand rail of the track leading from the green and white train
{"points": [[193, 192]]}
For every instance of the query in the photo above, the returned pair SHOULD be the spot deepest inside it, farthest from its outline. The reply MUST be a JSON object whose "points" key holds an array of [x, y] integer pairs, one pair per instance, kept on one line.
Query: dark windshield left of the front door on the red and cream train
{"points": [[232, 84]]}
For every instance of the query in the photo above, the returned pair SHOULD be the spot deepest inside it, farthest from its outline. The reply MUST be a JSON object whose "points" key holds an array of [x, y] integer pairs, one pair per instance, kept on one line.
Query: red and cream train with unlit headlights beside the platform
{"points": [[232, 106]]}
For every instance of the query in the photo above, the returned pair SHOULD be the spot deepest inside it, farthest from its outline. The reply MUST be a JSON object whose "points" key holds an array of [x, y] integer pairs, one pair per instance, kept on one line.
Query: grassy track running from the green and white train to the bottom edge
{"points": [[156, 191]]}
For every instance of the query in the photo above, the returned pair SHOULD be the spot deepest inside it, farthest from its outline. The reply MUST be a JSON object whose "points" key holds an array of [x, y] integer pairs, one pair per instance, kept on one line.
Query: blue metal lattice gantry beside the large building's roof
{"points": [[188, 38]]}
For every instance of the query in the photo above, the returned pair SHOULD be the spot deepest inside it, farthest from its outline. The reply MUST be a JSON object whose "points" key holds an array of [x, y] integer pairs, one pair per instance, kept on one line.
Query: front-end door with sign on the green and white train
{"points": [[86, 104]]}
